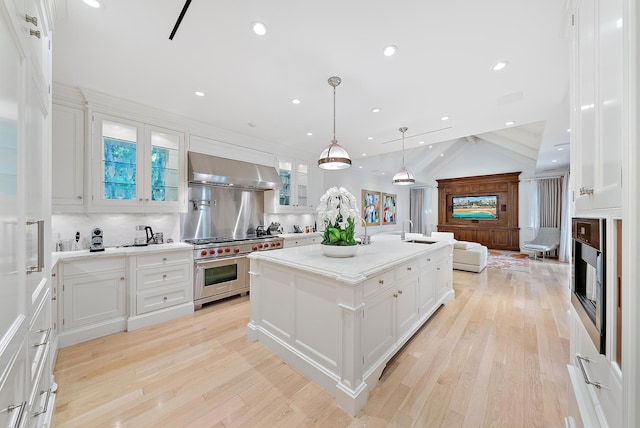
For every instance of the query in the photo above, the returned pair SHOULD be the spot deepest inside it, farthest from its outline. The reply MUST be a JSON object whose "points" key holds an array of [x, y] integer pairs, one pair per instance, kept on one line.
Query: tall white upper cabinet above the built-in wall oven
{"points": [[598, 97]]}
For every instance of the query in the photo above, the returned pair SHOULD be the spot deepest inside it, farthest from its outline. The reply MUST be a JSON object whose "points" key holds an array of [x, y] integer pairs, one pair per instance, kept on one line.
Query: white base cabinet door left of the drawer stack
{"points": [[94, 297]]}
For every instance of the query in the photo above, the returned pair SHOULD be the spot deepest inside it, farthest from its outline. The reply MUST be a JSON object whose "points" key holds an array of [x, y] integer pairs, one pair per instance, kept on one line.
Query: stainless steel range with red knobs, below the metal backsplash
{"points": [[221, 265]]}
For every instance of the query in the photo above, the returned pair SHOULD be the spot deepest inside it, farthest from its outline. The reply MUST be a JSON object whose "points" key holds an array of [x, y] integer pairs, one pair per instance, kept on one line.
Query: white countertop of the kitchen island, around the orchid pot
{"points": [[384, 252]]}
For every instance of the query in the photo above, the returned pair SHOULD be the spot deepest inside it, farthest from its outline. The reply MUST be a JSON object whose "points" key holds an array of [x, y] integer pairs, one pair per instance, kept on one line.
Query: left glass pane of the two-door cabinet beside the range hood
{"points": [[119, 156]]}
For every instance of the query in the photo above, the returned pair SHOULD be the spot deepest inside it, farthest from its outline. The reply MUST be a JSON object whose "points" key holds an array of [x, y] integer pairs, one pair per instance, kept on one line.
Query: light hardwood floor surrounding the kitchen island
{"points": [[495, 356]]}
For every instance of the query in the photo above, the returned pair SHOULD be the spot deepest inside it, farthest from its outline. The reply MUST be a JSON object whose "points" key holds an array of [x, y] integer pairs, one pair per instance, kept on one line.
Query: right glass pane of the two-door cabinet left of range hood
{"points": [[164, 166]]}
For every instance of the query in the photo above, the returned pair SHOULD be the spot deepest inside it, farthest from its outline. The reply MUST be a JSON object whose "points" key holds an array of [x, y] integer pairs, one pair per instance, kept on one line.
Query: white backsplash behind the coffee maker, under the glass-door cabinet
{"points": [[117, 229]]}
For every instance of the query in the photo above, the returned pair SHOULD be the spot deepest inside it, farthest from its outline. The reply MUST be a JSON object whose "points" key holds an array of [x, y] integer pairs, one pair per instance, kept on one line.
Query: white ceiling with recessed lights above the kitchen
{"points": [[442, 68]]}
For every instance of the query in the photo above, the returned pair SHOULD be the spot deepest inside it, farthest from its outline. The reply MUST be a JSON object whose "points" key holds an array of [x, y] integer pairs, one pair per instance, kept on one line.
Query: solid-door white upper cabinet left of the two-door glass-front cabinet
{"points": [[67, 185]]}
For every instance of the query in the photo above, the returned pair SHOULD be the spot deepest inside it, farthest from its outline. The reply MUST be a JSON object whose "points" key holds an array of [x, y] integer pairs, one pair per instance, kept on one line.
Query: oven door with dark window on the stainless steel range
{"points": [[216, 279]]}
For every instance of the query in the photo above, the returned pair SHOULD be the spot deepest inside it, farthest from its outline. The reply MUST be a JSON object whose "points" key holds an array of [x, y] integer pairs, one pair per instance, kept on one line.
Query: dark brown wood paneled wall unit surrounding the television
{"points": [[500, 234]]}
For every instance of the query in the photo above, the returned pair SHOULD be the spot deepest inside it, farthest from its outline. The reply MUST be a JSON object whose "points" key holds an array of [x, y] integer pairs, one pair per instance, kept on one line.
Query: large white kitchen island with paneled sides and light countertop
{"points": [[339, 321]]}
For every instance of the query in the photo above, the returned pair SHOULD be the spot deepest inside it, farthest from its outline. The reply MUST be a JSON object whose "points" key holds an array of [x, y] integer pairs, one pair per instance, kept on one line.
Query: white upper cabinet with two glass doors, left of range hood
{"points": [[136, 167]]}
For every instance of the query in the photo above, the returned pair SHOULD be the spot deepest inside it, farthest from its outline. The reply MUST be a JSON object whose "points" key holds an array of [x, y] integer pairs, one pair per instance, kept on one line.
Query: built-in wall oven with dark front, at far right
{"points": [[588, 277]]}
